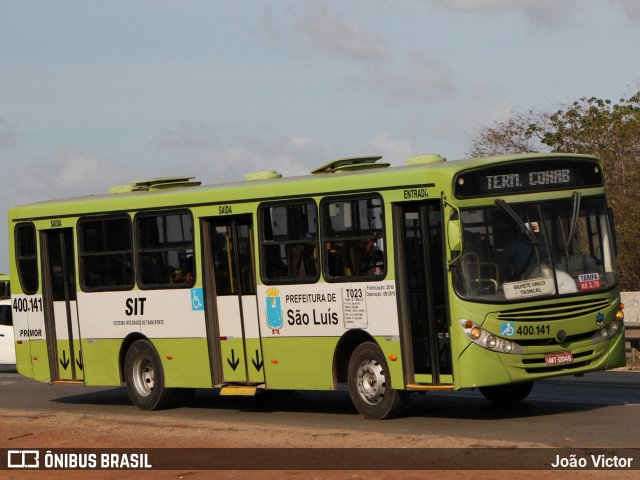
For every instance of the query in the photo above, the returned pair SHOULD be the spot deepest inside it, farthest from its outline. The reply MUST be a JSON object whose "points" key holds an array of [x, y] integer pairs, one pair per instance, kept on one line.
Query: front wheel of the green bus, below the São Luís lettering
{"points": [[370, 385]]}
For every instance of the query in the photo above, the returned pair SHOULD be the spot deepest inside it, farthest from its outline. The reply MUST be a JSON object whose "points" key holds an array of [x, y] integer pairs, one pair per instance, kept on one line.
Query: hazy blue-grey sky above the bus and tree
{"points": [[95, 94]]}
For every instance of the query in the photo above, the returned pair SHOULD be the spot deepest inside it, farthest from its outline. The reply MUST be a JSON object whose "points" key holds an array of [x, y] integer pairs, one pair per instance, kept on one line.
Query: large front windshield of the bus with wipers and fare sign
{"points": [[526, 250]]}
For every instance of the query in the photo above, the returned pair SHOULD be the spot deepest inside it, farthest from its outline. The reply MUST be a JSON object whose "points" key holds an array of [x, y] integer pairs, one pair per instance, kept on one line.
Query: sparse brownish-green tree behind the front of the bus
{"points": [[610, 131]]}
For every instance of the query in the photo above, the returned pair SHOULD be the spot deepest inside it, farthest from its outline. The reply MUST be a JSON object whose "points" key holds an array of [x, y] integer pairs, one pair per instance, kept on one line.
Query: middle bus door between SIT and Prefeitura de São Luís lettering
{"points": [[232, 312]]}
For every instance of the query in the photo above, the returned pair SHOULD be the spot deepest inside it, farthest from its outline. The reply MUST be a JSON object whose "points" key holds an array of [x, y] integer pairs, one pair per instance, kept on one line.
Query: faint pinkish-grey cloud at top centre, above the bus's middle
{"points": [[331, 33]]}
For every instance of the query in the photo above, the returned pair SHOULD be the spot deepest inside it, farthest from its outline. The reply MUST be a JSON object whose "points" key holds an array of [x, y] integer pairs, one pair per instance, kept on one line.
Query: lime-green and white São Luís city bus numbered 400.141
{"points": [[488, 273]]}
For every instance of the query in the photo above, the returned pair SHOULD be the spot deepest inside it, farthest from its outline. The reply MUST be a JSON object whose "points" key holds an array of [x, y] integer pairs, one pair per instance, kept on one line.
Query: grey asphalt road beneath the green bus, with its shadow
{"points": [[597, 410]]}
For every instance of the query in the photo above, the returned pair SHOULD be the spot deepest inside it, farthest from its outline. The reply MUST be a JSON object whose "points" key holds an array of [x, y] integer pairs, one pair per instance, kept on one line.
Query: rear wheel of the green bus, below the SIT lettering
{"points": [[145, 378]]}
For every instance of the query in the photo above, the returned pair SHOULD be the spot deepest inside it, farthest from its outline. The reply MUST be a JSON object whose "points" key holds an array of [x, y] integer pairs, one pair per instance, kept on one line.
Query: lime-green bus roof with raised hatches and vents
{"points": [[347, 174]]}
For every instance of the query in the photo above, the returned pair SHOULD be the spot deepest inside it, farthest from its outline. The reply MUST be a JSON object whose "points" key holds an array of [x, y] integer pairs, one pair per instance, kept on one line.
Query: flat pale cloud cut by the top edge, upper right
{"points": [[537, 11]]}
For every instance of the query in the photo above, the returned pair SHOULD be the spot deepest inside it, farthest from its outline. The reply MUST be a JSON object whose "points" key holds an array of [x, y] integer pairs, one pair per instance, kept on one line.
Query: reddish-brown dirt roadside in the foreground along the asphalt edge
{"points": [[45, 430]]}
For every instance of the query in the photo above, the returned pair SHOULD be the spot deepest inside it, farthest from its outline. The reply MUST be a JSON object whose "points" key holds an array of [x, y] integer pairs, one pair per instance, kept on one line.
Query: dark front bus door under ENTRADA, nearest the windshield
{"points": [[422, 295]]}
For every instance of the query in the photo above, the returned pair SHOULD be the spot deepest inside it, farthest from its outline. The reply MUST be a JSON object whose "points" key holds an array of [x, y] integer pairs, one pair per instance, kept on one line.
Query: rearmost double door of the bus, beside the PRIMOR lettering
{"points": [[60, 309]]}
